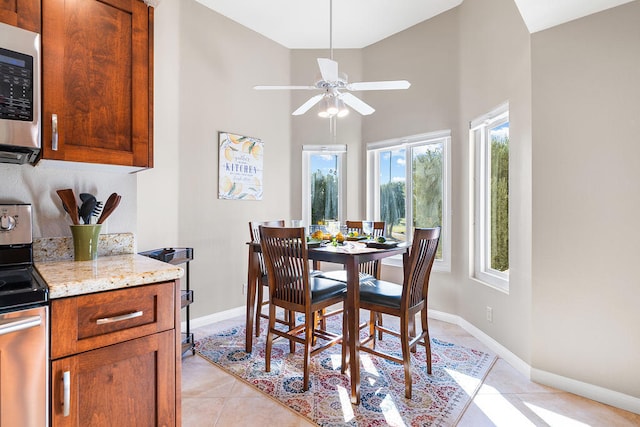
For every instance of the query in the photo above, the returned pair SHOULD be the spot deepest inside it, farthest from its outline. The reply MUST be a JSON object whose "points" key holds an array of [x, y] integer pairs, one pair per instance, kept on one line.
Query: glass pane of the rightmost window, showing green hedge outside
{"points": [[499, 188]]}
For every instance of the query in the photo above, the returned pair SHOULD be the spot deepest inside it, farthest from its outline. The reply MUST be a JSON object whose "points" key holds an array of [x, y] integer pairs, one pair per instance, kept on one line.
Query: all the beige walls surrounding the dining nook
{"points": [[461, 64]]}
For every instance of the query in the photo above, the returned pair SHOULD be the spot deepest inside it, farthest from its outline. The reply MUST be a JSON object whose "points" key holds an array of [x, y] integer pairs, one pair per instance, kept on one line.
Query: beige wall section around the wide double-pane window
{"points": [[427, 56]]}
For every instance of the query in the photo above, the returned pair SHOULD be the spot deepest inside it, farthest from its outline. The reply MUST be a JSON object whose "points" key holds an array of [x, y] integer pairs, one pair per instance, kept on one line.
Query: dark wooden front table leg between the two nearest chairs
{"points": [[353, 319]]}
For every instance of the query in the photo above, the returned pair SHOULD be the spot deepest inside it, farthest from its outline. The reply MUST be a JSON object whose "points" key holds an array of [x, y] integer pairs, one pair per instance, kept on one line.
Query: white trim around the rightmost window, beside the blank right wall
{"points": [[480, 173]]}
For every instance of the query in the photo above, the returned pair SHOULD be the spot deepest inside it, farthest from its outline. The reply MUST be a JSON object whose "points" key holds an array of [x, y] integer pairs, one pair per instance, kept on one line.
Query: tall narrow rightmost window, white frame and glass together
{"points": [[489, 137]]}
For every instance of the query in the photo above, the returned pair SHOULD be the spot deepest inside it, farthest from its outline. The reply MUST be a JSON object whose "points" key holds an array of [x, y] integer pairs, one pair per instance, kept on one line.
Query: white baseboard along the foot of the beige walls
{"points": [[590, 391]]}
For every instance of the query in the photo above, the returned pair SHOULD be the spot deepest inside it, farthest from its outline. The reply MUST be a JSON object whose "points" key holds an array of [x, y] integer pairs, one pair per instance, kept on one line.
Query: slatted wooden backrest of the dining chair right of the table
{"points": [[423, 253]]}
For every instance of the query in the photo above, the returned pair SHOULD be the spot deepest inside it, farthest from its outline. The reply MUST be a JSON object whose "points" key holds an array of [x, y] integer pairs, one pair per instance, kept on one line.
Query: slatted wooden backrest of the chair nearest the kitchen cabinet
{"points": [[287, 262]]}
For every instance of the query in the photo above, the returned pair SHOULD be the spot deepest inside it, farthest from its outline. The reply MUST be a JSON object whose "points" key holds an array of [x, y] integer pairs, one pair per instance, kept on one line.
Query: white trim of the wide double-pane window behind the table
{"points": [[373, 173]]}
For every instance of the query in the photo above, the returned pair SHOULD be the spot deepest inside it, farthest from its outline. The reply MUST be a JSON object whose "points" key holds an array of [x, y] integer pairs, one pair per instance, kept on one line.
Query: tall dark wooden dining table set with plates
{"points": [[350, 255]]}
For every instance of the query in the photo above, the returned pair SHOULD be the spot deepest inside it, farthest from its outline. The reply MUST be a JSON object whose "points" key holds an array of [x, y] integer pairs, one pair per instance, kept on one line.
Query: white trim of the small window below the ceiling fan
{"points": [[307, 151]]}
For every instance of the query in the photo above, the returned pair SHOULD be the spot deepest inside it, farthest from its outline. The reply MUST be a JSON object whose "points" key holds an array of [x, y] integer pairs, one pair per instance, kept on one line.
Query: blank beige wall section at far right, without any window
{"points": [[586, 121]]}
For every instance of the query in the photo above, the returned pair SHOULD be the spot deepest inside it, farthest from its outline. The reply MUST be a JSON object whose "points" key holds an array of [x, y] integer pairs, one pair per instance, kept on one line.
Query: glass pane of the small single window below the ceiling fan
{"points": [[324, 188]]}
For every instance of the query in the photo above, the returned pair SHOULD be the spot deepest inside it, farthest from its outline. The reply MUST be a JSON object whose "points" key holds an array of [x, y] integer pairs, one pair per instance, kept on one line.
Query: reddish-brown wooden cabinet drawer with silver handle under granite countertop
{"points": [[91, 321]]}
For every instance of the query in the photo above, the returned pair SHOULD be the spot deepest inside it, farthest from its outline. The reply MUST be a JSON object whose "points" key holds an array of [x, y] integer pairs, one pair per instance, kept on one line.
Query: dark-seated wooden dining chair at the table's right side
{"points": [[404, 302]]}
